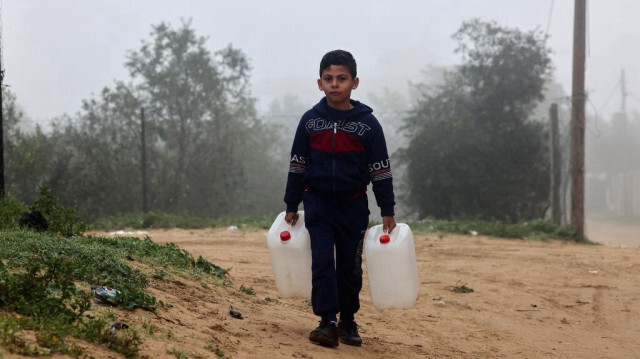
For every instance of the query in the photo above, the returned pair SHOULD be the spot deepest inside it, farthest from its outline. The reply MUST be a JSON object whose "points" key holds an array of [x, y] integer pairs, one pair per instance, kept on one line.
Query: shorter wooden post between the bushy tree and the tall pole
{"points": [[556, 165]]}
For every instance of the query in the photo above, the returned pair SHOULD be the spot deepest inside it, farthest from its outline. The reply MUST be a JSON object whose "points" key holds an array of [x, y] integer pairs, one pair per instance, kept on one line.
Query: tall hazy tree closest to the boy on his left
{"points": [[204, 113]]}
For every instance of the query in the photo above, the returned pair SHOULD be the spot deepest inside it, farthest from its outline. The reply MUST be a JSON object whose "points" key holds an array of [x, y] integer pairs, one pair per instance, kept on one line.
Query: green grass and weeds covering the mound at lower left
{"points": [[45, 285]]}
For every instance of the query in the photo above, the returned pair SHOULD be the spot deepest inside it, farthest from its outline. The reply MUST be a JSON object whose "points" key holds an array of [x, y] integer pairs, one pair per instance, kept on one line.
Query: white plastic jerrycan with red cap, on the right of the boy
{"points": [[391, 267]]}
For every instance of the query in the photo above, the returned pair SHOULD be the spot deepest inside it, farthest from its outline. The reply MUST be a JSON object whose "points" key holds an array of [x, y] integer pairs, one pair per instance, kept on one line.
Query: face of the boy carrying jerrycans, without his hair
{"points": [[336, 83]]}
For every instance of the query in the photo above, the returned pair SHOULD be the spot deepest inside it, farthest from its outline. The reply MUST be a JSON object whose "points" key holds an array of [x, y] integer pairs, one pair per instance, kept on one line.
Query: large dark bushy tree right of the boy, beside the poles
{"points": [[472, 148]]}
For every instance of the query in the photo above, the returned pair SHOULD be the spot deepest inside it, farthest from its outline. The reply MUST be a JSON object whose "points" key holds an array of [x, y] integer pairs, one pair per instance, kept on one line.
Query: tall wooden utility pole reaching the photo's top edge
{"points": [[578, 97]]}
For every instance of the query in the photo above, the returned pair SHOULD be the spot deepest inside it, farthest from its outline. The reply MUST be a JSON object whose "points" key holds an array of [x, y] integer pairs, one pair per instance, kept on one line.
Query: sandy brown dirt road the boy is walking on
{"points": [[531, 300]]}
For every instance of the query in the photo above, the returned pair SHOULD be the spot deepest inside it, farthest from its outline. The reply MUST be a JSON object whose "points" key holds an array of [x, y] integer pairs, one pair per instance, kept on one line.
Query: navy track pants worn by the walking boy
{"points": [[339, 225]]}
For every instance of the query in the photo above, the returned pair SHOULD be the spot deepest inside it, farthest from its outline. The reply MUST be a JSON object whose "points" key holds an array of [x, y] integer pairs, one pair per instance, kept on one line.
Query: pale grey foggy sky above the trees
{"points": [[57, 53]]}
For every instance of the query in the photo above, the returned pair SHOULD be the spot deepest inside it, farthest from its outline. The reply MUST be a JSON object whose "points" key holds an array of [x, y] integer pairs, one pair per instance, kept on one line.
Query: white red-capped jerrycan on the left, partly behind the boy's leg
{"points": [[290, 251]]}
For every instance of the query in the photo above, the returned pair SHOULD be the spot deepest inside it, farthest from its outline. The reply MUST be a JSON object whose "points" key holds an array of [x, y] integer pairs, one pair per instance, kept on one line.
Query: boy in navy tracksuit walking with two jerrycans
{"points": [[338, 149]]}
